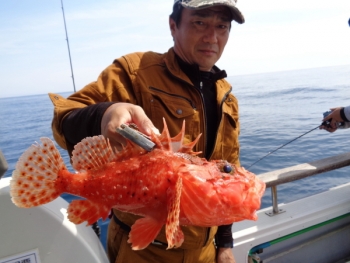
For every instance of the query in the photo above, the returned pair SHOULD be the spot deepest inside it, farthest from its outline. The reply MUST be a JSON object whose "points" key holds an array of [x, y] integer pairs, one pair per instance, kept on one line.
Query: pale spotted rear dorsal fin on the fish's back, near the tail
{"points": [[91, 153]]}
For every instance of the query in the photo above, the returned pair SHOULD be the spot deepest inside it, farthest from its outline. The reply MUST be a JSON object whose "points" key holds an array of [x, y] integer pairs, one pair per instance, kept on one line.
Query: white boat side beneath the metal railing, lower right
{"points": [[298, 215]]}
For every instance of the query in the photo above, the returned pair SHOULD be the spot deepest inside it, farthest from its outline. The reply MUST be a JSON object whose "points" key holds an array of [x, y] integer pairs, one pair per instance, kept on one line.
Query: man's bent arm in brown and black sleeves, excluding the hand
{"points": [[85, 108]]}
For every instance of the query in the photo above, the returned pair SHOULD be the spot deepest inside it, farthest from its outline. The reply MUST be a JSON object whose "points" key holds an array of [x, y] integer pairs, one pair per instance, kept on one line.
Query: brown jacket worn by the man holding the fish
{"points": [[156, 83]]}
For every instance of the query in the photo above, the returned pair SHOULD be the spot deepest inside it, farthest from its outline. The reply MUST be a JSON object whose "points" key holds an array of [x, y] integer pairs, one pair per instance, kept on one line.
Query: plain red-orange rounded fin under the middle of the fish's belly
{"points": [[143, 232]]}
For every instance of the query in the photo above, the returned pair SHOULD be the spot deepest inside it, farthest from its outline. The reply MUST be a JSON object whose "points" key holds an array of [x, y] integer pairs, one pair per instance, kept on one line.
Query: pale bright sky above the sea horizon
{"points": [[278, 35]]}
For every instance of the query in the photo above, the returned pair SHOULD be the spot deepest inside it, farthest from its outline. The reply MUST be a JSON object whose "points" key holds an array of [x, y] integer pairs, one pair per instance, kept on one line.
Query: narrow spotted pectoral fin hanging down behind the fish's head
{"points": [[174, 234]]}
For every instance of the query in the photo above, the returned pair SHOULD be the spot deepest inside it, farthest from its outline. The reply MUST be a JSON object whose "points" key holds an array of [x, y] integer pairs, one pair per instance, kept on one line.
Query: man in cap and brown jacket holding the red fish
{"points": [[143, 88]]}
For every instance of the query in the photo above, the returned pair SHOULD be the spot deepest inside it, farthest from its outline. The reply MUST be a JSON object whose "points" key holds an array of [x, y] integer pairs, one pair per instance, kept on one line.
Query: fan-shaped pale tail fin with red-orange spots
{"points": [[33, 180]]}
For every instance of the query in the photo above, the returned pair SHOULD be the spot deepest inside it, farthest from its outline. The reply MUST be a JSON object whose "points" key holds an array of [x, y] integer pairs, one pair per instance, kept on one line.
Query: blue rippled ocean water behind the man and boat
{"points": [[275, 108]]}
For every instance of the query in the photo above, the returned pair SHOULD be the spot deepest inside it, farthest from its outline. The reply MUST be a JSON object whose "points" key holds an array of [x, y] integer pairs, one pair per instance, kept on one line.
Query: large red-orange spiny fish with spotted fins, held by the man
{"points": [[169, 185]]}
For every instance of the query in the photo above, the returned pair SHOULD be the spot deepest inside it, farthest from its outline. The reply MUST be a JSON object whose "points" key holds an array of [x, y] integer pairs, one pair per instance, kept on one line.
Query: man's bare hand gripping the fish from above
{"points": [[121, 113]]}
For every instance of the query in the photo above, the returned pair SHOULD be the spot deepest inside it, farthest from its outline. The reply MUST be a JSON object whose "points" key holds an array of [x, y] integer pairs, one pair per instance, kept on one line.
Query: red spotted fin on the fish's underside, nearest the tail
{"points": [[86, 210]]}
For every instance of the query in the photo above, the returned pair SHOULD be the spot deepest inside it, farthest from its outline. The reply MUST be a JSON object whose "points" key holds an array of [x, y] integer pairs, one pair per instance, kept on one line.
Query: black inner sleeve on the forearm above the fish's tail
{"points": [[84, 122]]}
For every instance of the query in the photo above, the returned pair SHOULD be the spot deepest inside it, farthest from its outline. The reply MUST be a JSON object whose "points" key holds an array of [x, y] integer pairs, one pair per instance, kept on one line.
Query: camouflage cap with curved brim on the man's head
{"points": [[201, 4]]}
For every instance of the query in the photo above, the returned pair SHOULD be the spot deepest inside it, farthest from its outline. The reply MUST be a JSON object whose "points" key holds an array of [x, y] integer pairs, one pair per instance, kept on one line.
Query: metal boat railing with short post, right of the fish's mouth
{"points": [[300, 171]]}
